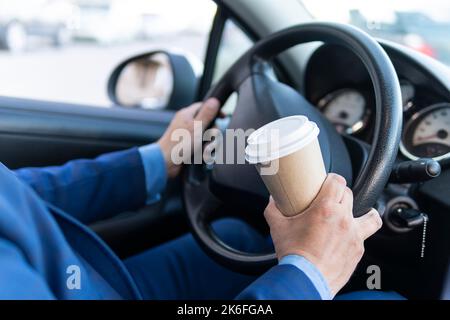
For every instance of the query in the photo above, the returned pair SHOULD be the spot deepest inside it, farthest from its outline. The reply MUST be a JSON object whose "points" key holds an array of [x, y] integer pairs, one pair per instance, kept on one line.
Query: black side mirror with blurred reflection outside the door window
{"points": [[154, 80]]}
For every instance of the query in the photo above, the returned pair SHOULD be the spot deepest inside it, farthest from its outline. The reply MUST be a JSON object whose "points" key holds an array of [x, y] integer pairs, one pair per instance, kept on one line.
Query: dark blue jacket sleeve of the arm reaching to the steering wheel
{"points": [[92, 189]]}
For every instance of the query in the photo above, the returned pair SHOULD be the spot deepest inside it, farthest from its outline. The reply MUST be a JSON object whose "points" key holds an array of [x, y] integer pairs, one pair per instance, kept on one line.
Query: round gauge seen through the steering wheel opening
{"points": [[346, 109]]}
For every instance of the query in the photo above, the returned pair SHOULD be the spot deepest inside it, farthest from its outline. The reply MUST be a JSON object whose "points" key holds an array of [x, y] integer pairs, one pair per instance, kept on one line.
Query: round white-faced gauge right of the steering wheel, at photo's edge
{"points": [[427, 133]]}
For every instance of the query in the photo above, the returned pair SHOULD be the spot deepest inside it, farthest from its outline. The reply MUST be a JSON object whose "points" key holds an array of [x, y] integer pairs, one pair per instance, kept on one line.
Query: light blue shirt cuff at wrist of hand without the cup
{"points": [[155, 171]]}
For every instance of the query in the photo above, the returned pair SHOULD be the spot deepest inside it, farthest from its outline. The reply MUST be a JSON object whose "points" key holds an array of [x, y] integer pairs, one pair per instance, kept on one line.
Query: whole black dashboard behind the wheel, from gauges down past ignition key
{"points": [[337, 83]]}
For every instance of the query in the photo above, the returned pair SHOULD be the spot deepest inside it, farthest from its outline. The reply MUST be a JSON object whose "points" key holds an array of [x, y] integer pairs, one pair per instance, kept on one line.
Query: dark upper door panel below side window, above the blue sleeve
{"points": [[35, 133]]}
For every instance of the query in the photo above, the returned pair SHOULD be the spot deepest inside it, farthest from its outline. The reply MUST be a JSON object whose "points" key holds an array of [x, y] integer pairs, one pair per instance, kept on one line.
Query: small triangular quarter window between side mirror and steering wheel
{"points": [[233, 44]]}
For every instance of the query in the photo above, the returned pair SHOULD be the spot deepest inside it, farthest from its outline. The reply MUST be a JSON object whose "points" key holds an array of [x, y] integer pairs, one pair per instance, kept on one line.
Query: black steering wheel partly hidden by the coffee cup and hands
{"points": [[219, 190]]}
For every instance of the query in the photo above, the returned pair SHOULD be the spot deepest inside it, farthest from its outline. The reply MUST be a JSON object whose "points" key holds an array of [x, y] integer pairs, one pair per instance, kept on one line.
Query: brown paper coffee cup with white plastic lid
{"points": [[287, 155]]}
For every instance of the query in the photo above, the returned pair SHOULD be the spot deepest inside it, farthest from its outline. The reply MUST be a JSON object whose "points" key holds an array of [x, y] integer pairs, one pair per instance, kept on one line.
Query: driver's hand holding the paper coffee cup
{"points": [[326, 233]]}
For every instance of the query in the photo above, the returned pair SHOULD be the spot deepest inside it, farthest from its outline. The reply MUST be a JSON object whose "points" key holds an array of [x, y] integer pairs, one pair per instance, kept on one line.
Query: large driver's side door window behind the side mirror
{"points": [[65, 50]]}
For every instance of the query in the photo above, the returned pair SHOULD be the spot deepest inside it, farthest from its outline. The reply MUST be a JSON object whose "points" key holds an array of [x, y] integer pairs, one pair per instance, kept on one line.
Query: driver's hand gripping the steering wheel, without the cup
{"points": [[184, 119]]}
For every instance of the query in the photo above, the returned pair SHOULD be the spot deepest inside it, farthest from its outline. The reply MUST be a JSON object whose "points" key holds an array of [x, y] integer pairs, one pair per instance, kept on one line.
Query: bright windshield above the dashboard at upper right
{"points": [[418, 24]]}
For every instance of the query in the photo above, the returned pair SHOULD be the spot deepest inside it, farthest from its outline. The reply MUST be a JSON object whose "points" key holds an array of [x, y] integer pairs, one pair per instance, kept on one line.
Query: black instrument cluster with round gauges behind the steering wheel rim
{"points": [[339, 85]]}
